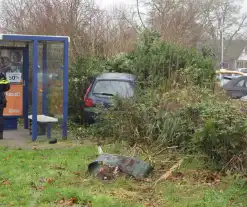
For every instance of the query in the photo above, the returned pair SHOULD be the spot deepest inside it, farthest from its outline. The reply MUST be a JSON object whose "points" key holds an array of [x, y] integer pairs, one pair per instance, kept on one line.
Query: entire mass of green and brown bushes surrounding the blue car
{"points": [[174, 106]]}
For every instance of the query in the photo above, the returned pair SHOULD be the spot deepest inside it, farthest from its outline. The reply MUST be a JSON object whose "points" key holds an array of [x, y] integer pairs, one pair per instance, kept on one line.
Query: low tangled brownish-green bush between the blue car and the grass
{"points": [[192, 118]]}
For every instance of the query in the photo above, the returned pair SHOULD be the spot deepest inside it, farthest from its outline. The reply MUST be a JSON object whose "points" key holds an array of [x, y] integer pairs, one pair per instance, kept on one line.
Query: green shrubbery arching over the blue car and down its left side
{"points": [[152, 62]]}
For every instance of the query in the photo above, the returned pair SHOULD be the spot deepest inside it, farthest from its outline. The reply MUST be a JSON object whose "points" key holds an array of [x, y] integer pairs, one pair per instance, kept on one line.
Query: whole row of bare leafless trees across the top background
{"points": [[97, 32]]}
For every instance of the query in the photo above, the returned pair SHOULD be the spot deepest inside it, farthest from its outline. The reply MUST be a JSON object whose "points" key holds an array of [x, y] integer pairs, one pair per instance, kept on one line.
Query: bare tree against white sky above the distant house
{"points": [[225, 19]]}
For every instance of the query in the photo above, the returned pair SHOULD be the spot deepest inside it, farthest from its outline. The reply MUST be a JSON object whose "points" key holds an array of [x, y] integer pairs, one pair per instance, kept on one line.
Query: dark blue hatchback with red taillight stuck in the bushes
{"points": [[103, 88]]}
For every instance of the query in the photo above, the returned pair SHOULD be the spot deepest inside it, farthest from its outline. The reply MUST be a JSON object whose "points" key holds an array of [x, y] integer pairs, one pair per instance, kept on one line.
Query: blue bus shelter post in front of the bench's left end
{"points": [[35, 91]]}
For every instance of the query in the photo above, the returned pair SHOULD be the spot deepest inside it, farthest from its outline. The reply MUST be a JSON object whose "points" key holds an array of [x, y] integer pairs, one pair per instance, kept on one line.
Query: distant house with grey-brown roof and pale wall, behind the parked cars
{"points": [[235, 53]]}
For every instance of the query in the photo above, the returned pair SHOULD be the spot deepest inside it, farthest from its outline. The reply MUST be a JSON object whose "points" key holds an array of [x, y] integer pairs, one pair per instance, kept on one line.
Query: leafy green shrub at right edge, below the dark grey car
{"points": [[221, 132]]}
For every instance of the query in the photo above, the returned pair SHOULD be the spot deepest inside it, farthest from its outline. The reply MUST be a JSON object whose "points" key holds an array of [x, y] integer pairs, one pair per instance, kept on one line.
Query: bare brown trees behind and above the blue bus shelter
{"points": [[92, 31]]}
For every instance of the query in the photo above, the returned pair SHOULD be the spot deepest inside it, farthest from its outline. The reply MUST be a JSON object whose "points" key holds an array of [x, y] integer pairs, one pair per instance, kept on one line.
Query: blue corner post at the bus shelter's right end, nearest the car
{"points": [[65, 88]]}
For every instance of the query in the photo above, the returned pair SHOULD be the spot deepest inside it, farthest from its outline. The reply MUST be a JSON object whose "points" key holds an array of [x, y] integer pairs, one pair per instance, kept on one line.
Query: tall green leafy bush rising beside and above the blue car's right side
{"points": [[155, 60]]}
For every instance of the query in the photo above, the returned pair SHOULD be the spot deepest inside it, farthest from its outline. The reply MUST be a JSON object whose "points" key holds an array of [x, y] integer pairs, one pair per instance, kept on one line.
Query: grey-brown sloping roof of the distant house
{"points": [[233, 49]]}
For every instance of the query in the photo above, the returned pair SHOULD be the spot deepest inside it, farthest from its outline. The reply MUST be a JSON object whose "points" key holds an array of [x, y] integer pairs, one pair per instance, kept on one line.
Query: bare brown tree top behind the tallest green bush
{"points": [[178, 21]]}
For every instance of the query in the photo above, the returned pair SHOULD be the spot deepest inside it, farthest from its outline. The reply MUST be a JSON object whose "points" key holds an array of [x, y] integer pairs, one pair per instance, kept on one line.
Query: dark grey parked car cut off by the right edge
{"points": [[239, 89]]}
